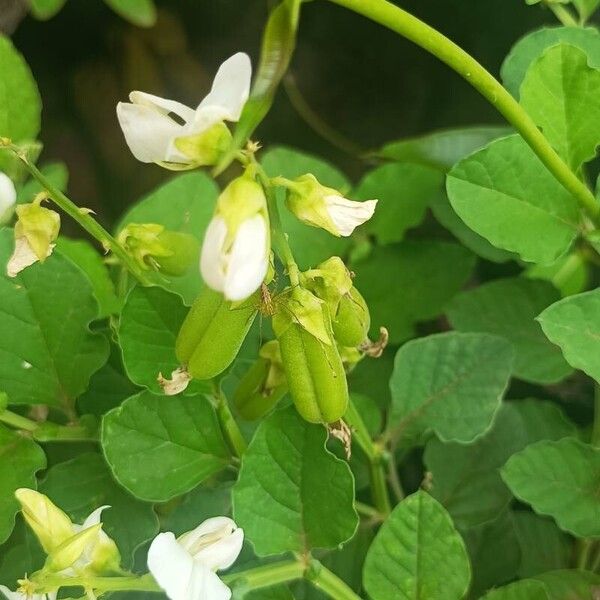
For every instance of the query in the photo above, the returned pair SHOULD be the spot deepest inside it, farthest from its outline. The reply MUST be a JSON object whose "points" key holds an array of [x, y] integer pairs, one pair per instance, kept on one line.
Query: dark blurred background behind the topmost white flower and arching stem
{"points": [[365, 82]]}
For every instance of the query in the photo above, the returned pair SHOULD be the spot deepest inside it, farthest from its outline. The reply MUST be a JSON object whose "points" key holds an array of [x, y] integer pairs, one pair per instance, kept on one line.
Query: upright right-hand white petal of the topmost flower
{"points": [[231, 86]]}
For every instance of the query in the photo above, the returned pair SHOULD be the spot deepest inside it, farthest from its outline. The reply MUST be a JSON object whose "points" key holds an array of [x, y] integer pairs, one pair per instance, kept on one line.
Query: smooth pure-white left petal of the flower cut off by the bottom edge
{"points": [[177, 574]]}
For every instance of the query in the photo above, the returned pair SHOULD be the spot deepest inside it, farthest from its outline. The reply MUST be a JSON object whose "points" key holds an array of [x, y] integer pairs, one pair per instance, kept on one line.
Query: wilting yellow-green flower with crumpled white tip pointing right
{"points": [[325, 207]]}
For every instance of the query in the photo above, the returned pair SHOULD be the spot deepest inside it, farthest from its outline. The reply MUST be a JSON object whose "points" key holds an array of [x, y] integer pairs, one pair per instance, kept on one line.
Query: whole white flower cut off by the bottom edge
{"points": [[185, 567]]}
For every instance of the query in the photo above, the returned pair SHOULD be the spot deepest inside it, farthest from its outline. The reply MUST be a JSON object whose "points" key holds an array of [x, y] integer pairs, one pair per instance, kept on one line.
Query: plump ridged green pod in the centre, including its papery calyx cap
{"points": [[314, 369]]}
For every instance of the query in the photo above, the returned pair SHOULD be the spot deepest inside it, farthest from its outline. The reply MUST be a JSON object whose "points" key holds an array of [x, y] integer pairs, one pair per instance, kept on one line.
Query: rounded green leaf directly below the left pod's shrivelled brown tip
{"points": [[161, 447]]}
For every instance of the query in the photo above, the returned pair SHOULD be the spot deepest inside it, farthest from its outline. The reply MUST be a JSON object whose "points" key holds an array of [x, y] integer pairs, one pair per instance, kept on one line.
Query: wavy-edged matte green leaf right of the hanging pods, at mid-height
{"points": [[451, 383]]}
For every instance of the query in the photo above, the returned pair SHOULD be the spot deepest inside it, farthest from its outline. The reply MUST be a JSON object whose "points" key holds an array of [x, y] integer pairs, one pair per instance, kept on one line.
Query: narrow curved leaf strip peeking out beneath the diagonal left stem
{"points": [[84, 256]]}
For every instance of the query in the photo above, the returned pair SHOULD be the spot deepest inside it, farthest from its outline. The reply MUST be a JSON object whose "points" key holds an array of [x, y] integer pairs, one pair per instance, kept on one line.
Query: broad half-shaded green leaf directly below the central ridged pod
{"points": [[293, 495]]}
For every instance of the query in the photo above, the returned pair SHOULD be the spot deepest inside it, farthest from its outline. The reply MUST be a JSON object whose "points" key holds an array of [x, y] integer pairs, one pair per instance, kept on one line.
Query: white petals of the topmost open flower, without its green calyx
{"points": [[150, 130]]}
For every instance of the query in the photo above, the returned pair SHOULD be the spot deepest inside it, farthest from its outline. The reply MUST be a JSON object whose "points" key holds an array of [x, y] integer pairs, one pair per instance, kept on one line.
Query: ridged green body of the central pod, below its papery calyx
{"points": [[314, 370]]}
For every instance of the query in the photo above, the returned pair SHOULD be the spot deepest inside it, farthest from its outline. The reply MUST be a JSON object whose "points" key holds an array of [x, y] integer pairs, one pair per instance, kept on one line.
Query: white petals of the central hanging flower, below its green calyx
{"points": [[238, 268]]}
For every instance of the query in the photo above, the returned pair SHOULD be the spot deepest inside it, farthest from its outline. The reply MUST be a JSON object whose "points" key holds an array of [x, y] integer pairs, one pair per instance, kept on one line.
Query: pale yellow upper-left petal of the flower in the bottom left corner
{"points": [[50, 524]]}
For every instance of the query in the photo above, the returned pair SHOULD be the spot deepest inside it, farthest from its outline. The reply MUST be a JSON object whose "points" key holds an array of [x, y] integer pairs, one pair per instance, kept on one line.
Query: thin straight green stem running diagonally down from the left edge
{"points": [[83, 218]]}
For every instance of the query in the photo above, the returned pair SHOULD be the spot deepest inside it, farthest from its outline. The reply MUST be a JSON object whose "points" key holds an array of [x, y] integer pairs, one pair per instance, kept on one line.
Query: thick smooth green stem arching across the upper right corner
{"points": [[387, 14]]}
